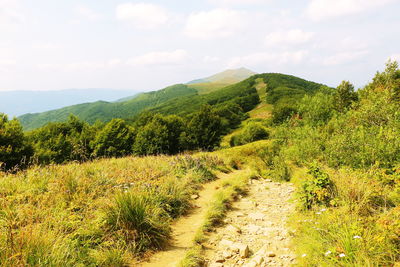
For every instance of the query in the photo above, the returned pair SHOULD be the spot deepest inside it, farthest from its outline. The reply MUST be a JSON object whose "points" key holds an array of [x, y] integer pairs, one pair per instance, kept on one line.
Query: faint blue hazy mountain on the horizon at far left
{"points": [[16, 103]]}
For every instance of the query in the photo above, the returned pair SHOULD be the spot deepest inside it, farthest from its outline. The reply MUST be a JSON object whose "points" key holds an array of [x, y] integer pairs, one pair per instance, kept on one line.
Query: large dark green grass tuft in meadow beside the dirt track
{"points": [[139, 220]]}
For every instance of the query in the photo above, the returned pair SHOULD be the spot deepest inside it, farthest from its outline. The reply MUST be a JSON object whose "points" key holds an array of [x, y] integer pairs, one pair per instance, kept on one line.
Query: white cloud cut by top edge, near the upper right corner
{"points": [[325, 9]]}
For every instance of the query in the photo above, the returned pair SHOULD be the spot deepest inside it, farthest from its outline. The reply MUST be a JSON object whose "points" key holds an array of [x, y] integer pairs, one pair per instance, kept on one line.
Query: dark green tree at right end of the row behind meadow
{"points": [[204, 129]]}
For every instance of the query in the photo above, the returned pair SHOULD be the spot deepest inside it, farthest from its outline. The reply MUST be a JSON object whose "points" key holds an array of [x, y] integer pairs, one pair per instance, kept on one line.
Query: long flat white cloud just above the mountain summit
{"points": [[262, 59]]}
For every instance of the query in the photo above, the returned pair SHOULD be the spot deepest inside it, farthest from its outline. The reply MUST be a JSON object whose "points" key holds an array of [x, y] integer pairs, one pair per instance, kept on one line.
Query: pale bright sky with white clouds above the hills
{"points": [[147, 45]]}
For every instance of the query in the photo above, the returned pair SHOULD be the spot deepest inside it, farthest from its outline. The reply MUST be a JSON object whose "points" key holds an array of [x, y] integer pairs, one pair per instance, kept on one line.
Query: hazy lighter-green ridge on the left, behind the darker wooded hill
{"points": [[105, 111]]}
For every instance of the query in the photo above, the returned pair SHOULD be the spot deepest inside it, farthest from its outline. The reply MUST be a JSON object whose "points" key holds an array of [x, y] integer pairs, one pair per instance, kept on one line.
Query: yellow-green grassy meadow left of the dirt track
{"points": [[100, 213]]}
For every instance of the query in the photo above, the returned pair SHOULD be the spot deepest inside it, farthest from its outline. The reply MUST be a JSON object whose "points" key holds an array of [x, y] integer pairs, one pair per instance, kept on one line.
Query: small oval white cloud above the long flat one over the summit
{"points": [[291, 37]]}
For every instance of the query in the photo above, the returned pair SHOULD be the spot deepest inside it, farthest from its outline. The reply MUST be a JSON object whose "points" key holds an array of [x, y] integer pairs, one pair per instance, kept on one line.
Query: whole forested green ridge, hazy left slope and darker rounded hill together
{"points": [[178, 99]]}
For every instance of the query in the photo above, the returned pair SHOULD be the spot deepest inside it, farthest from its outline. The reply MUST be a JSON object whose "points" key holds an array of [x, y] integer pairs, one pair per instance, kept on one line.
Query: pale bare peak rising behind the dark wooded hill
{"points": [[226, 77]]}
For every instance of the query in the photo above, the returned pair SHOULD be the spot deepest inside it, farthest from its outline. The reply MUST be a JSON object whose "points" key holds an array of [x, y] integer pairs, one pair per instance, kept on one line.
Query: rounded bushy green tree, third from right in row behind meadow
{"points": [[114, 140]]}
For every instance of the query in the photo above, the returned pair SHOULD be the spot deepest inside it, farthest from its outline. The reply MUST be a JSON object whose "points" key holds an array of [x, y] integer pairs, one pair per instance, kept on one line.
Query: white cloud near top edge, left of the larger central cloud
{"points": [[142, 15]]}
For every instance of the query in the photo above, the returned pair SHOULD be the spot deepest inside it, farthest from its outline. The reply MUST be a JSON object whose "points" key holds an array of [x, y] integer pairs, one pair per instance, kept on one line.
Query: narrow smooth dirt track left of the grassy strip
{"points": [[184, 229]]}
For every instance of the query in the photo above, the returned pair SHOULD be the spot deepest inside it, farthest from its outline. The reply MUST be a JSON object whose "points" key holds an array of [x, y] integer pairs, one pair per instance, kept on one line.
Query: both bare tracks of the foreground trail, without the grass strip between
{"points": [[254, 232]]}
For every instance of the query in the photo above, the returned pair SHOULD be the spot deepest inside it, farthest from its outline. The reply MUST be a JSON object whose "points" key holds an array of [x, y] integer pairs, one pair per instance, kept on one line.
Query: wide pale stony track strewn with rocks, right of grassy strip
{"points": [[255, 232]]}
